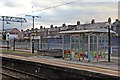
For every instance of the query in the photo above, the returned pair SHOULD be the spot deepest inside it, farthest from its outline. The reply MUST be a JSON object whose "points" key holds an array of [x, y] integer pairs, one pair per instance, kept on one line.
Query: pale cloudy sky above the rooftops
{"points": [[81, 10]]}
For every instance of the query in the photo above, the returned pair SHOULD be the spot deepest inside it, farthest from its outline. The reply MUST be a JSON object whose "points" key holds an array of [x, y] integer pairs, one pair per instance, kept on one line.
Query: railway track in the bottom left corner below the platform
{"points": [[13, 74]]}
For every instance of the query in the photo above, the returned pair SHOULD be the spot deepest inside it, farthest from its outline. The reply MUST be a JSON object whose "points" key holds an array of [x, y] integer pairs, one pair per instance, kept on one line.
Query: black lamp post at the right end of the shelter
{"points": [[109, 45]]}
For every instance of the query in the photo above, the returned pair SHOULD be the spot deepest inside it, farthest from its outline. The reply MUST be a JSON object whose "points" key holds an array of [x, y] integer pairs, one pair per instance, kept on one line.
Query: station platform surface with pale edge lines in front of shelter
{"points": [[103, 67]]}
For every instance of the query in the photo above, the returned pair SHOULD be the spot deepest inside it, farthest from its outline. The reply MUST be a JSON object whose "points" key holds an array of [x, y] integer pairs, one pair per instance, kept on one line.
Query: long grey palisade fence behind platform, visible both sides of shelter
{"points": [[27, 44]]}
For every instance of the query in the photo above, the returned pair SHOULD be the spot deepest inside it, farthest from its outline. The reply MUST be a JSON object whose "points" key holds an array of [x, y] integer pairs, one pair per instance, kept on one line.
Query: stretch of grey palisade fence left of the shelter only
{"points": [[27, 45]]}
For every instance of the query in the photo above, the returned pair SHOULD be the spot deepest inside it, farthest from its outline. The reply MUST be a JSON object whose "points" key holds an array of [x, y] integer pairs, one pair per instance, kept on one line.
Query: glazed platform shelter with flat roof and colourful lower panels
{"points": [[89, 44]]}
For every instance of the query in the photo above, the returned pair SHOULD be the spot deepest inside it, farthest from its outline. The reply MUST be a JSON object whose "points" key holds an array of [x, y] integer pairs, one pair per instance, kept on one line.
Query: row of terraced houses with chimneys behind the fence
{"points": [[53, 31]]}
